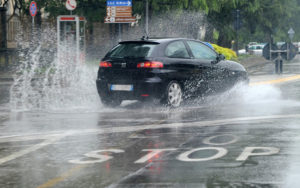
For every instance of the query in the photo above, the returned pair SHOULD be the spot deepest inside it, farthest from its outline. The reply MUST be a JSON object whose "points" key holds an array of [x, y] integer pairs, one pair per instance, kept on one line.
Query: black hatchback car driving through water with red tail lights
{"points": [[169, 70]]}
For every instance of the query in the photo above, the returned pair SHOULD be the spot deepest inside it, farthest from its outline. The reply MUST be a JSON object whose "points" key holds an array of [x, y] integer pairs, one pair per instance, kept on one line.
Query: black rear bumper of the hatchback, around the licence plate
{"points": [[141, 89]]}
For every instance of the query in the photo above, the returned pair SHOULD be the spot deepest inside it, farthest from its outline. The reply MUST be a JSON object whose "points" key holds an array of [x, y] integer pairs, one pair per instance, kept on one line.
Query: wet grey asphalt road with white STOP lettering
{"points": [[246, 137]]}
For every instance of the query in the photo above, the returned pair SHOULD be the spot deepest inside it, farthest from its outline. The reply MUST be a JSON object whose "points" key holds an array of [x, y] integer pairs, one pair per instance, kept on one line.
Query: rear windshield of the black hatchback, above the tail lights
{"points": [[132, 50]]}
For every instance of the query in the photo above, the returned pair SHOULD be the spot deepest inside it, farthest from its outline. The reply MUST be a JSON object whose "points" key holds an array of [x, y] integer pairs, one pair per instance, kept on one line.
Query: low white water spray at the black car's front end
{"points": [[247, 100]]}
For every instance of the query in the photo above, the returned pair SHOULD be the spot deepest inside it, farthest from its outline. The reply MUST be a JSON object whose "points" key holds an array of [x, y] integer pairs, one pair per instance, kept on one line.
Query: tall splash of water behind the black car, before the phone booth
{"points": [[45, 82]]}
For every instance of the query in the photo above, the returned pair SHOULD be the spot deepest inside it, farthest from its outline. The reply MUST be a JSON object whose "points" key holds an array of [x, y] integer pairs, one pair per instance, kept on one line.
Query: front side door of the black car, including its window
{"points": [[209, 74]]}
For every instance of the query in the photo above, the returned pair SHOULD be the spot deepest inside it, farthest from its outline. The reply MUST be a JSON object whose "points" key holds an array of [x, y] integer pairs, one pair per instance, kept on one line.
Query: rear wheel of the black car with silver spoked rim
{"points": [[173, 94]]}
